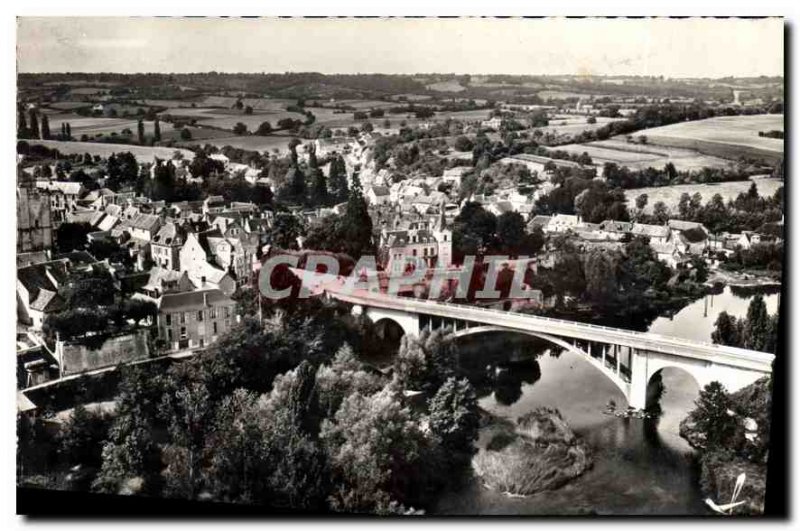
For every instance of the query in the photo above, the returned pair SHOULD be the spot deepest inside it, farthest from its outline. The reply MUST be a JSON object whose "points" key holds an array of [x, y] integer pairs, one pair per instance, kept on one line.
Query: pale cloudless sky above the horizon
{"points": [[660, 47]]}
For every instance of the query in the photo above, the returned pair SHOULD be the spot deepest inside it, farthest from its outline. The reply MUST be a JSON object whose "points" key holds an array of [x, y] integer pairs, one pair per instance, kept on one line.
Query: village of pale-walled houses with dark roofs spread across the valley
{"points": [[192, 259]]}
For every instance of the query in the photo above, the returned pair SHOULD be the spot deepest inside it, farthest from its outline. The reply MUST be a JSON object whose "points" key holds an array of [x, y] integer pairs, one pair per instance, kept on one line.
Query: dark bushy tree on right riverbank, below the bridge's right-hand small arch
{"points": [[712, 417]]}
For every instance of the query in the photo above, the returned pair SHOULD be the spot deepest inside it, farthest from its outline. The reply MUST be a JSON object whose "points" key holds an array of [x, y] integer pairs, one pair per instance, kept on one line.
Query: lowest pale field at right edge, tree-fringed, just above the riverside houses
{"points": [[671, 195]]}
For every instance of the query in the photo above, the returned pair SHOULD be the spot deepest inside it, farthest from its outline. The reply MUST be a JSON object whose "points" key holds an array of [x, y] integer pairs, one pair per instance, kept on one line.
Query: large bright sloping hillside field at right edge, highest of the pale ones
{"points": [[723, 136]]}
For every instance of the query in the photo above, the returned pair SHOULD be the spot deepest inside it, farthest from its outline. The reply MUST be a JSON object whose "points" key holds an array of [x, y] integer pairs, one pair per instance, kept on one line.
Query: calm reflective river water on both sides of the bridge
{"points": [[640, 466]]}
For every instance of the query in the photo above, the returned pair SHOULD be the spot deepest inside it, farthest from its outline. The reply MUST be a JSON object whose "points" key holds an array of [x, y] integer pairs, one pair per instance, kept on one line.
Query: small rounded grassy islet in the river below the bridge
{"points": [[539, 452]]}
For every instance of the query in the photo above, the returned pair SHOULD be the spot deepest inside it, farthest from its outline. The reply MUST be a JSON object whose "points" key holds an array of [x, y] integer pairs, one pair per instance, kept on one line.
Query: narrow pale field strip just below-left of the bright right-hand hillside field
{"points": [[639, 157]]}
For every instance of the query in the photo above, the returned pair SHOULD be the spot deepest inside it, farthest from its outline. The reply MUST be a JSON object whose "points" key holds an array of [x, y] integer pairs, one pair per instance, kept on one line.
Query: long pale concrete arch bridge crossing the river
{"points": [[629, 359]]}
